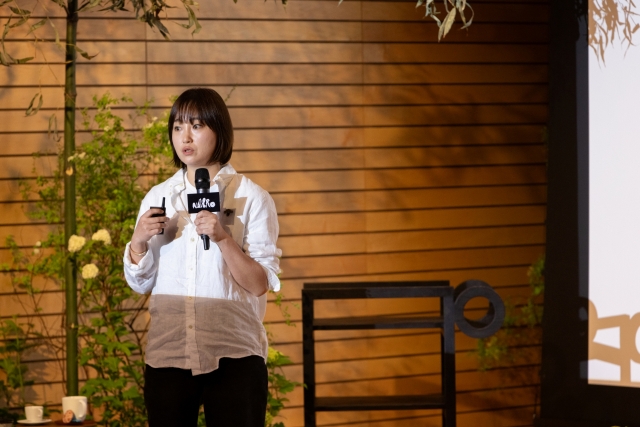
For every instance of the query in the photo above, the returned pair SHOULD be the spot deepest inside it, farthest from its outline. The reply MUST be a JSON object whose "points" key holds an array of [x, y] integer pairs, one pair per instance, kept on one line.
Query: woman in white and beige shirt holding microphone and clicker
{"points": [[206, 342]]}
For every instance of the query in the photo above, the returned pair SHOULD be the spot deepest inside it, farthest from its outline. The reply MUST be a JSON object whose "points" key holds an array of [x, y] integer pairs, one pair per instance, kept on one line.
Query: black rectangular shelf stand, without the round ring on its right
{"points": [[362, 290]]}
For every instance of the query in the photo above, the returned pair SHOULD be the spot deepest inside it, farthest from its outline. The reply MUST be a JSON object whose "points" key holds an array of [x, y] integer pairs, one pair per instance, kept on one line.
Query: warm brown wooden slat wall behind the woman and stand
{"points": [[390, 157]]}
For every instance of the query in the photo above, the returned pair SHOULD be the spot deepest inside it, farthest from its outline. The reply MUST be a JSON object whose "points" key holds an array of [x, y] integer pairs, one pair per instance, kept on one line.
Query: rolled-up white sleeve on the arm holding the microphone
{"points": [[261, 235]]}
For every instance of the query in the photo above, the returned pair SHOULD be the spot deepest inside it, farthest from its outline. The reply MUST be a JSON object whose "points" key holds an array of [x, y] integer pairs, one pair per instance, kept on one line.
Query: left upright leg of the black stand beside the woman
{"points": [[309, 360]]}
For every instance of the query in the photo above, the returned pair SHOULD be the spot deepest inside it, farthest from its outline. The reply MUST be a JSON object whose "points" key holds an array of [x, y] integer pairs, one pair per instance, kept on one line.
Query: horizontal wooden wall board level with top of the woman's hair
{"points": [[338, 95]]}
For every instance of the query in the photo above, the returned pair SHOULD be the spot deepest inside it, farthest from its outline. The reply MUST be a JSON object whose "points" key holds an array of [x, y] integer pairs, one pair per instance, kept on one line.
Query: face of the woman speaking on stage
{"points": [[194, 143]]}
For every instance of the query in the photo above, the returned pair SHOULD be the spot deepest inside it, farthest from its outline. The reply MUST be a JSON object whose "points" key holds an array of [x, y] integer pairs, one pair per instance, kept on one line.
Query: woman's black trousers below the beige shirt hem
{"points": [[234, 395]]}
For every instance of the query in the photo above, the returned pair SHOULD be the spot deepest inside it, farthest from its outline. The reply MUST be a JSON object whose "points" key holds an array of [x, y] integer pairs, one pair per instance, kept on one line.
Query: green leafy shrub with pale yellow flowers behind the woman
{"points": [[113, 170]]}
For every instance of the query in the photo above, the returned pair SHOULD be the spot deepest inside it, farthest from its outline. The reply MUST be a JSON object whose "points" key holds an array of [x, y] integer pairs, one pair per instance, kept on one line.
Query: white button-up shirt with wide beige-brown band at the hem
{"points": [[199, 313]]}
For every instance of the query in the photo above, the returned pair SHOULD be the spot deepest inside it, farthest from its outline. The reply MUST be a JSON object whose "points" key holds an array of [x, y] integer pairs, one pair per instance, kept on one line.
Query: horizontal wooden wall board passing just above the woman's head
{"points": [[321, 74]]}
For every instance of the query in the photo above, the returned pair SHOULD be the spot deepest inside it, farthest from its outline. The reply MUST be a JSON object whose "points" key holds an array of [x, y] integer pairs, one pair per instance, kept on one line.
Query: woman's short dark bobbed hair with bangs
{"points": [[207, 106]]}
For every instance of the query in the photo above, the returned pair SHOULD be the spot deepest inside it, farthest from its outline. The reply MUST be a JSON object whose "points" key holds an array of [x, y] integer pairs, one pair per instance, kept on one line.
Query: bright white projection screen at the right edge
{"points": [[614, 211]]}
